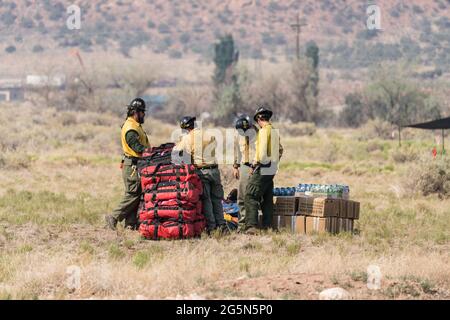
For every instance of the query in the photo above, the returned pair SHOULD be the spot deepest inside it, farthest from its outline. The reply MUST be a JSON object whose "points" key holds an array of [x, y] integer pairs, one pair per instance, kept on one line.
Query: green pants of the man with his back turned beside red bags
{"points": [[212, 197]]}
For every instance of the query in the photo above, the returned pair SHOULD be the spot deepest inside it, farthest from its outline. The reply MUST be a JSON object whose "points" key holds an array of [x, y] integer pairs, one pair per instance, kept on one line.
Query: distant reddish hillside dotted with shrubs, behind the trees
{"points": [[418, 29]]}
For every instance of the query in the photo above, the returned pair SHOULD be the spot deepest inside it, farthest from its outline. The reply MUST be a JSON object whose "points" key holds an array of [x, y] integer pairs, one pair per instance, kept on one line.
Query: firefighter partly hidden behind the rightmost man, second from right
{"points": [[243, 156]]}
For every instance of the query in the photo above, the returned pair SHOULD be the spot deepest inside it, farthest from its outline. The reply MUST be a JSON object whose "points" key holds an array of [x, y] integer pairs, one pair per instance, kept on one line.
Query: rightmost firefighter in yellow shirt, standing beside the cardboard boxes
{"points": [[259, 190]]}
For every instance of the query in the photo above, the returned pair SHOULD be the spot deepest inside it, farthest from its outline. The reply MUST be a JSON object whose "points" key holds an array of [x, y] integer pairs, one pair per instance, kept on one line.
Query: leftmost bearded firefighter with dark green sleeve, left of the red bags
{"points": [[134, 142]]}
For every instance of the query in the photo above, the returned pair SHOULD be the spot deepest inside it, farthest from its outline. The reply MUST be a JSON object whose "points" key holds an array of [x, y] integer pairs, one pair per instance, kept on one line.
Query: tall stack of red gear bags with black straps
{"points": [[171, 206]]}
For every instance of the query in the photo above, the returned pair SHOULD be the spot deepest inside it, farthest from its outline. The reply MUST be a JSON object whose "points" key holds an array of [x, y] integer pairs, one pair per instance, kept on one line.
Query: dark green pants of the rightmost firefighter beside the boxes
{"points": [[259, 191]]}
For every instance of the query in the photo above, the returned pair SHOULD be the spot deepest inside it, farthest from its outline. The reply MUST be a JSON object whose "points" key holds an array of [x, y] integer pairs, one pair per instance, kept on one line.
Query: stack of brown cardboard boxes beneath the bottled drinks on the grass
{"points": [[303, 214]]}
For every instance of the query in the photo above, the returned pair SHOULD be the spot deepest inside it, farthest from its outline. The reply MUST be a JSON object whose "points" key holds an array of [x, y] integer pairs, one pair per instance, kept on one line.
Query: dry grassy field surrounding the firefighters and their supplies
{"points": [[60, 174]]}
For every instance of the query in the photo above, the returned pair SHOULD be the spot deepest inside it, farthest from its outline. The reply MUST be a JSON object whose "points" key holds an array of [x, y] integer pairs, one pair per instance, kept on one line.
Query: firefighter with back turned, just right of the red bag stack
{"points": [[198, 147]]}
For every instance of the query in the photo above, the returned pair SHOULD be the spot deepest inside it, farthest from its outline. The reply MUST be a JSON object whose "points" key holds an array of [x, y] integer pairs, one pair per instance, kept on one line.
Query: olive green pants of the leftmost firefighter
{"points": [[128, 206]]}
